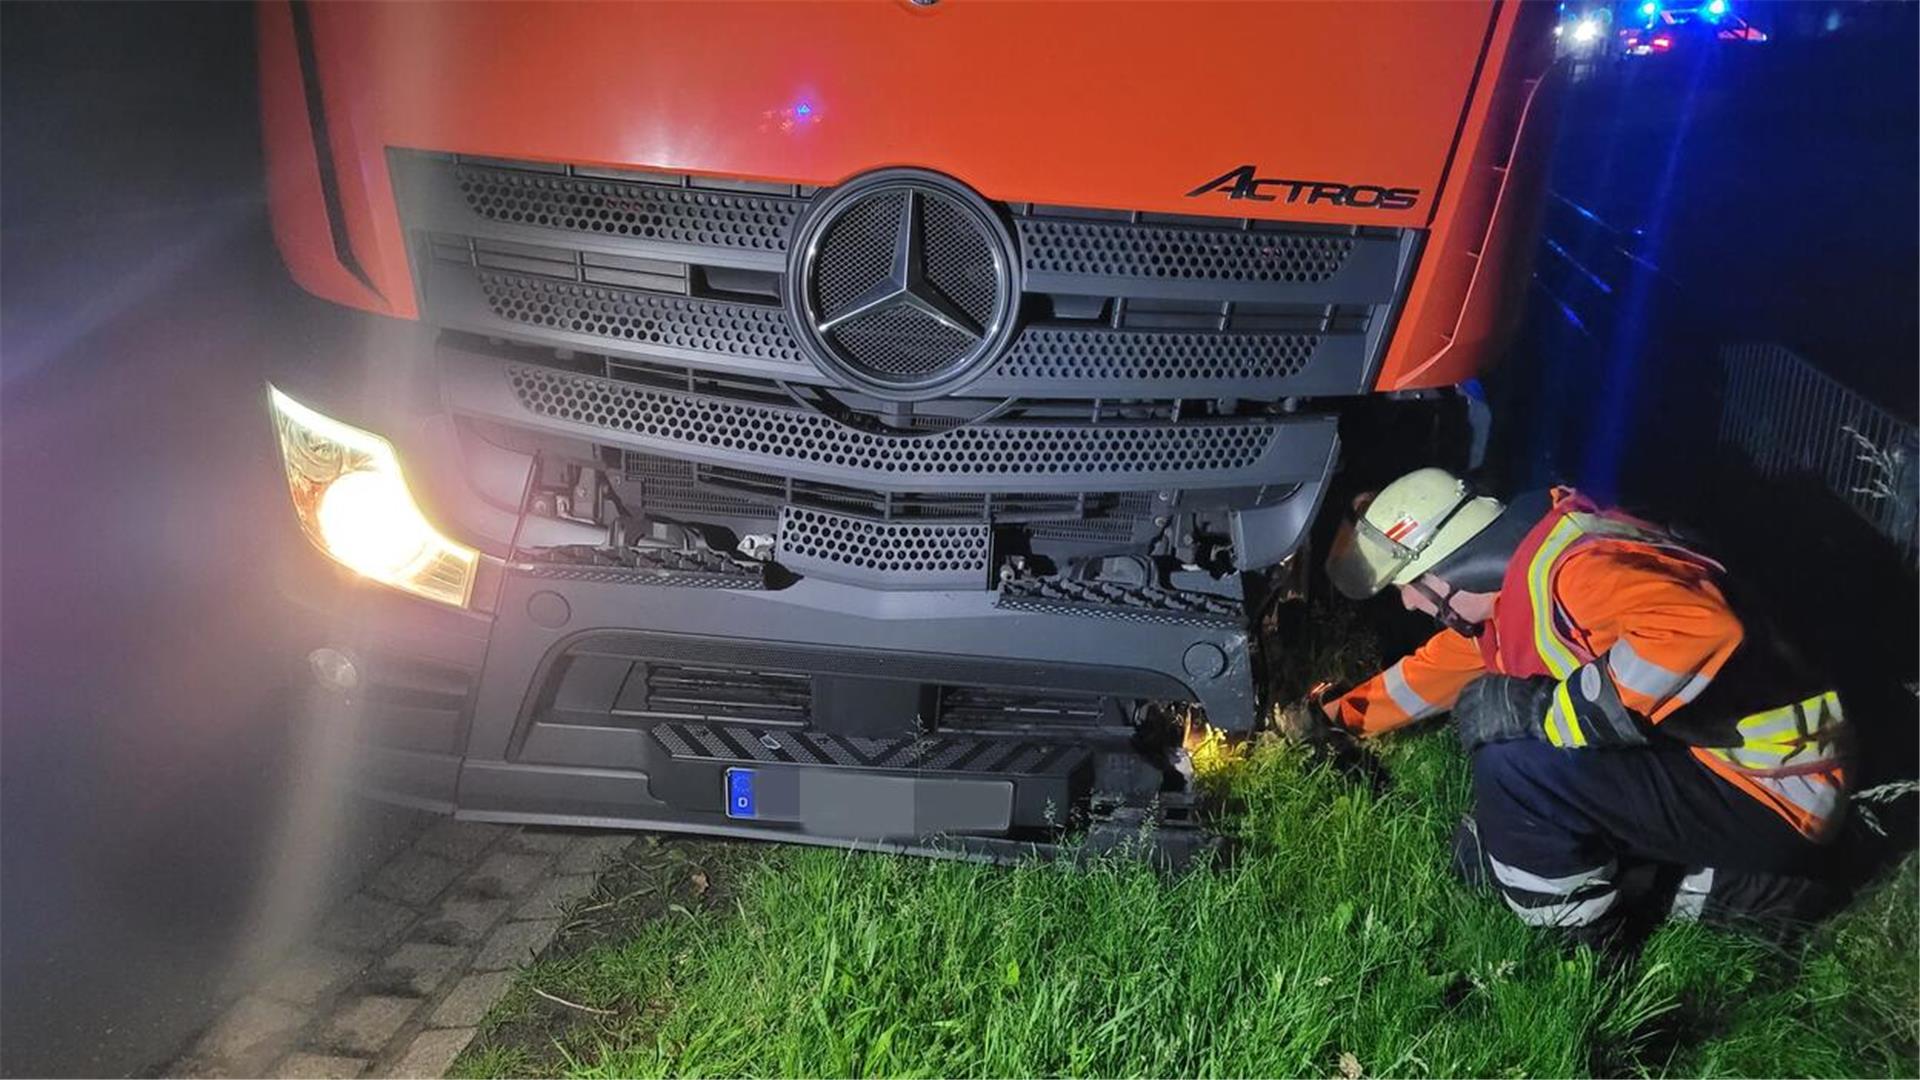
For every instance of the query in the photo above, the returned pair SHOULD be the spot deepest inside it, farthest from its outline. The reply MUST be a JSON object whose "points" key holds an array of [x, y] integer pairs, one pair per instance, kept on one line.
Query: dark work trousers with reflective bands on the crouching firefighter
{"points": [[1562, 829]]}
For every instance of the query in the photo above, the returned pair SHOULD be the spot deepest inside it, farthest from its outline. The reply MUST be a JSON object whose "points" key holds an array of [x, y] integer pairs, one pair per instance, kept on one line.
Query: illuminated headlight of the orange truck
{"points": [[354, 504]]}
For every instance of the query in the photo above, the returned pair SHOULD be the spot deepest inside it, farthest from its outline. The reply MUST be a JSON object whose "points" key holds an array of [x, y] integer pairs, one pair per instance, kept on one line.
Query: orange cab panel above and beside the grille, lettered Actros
{"points": [[1124, 107]]}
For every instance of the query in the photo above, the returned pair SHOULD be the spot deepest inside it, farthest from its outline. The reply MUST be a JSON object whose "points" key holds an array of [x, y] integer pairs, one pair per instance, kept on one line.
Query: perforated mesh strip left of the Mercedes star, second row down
{"points": [[698, 326]]}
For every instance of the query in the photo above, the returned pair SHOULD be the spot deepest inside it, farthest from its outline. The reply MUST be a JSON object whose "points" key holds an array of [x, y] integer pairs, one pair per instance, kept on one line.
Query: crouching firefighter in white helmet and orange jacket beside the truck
{"points": [[1618, 708]]}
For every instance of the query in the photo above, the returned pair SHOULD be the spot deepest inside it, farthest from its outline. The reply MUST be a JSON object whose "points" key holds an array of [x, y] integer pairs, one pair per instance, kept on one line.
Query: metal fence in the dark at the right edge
{"points": [[1792, 420]]}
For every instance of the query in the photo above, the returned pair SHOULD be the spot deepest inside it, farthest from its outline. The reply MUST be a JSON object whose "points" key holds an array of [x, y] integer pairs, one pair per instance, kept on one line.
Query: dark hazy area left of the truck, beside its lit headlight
{"points": [[145, 733]]}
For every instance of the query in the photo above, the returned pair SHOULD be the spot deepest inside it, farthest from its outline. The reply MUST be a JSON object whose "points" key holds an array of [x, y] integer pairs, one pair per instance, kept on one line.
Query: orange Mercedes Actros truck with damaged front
{"points": [[859, 422]]}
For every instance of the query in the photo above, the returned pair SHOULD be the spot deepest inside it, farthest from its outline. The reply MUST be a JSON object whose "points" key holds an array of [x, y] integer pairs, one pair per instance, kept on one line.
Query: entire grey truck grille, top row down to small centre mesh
{"points": [[1147, 364]]}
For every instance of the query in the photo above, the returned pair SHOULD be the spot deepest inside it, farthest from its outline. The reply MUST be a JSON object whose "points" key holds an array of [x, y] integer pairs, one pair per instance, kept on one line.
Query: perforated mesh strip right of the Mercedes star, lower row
{"points": [[1051, 353]]}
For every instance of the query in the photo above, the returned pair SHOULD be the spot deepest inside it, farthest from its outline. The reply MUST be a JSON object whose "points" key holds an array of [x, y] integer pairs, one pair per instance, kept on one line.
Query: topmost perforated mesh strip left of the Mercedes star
{"points": [[677, 216]]}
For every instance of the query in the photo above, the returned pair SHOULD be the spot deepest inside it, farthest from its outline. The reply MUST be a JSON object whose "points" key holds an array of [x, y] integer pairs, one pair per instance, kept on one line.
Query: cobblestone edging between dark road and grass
{"points": [[398, 975]]}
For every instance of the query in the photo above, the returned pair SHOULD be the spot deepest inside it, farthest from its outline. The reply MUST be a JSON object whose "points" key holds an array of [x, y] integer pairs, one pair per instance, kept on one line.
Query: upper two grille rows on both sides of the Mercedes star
{"points": [[690, 270]]}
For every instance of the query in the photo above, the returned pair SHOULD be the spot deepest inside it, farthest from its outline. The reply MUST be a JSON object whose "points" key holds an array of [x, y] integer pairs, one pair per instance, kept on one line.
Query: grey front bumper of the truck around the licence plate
{"points": [[540, 714]]}
